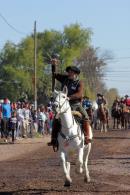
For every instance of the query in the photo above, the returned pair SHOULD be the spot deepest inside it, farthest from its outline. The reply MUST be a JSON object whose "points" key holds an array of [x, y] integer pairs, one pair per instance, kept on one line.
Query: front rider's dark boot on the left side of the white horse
{"points": [[55, 130]]}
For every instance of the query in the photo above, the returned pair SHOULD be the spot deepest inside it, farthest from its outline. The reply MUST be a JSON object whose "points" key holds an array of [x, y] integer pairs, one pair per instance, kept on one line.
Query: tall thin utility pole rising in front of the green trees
{"points": [[35, 67]]}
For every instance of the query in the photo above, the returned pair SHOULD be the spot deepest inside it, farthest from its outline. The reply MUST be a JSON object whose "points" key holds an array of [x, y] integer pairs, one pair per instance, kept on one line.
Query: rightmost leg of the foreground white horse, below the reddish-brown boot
{"points": [[86, 156]]}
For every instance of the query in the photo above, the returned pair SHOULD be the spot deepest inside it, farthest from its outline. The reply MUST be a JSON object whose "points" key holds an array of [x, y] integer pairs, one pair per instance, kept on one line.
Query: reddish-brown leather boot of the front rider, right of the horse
{"points": [[86, 129]]}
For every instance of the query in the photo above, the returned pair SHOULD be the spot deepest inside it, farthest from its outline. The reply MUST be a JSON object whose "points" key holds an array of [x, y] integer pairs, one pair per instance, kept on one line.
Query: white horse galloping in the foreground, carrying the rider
{"points": [[71, 138]]}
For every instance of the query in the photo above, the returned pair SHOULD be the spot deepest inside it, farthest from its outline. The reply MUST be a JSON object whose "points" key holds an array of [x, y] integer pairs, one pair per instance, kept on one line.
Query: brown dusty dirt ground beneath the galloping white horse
{"points": [[31, 167]]}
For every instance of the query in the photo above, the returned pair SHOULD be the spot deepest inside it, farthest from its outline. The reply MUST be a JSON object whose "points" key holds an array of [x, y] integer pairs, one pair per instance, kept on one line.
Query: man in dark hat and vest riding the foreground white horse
{"points": [[75, 95]]}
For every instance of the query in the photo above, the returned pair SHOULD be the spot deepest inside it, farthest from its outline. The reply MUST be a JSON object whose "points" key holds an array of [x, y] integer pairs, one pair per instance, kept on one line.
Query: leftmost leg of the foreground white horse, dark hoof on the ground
{"points": [[66, 169]]}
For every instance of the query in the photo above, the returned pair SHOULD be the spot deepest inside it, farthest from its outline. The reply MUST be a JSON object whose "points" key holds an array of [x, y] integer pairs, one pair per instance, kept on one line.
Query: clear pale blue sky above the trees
{"points": [[109, 21]]}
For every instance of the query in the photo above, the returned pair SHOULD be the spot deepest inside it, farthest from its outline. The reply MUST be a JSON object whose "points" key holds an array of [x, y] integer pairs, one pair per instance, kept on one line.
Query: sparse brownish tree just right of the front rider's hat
{"points": [[92, 66]]}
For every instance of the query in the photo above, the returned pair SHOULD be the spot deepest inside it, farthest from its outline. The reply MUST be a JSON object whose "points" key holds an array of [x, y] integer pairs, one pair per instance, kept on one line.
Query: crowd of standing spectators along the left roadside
{"points": [[22, 120]]}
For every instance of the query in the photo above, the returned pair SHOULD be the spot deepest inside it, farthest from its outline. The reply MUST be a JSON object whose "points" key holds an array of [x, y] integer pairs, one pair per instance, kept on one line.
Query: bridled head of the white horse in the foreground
{"points": [[61, 103]]}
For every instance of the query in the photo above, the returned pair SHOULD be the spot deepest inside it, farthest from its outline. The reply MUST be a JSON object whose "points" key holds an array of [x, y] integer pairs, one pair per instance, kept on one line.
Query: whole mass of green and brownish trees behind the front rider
{"points": [[74, 47]]}
